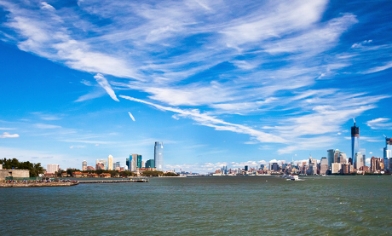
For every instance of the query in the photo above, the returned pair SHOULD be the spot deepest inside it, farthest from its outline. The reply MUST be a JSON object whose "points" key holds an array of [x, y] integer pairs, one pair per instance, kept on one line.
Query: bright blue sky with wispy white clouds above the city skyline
{"points": [[218, 82]]}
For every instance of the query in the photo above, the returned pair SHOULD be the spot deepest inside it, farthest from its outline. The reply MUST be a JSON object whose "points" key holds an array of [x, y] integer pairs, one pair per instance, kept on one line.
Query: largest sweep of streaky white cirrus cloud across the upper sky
{"points": [[283, 62]]}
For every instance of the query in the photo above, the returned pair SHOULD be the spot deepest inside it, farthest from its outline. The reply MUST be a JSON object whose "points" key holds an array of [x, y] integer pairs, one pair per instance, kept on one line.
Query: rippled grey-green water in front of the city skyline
{"points": [[333, 205]]}
